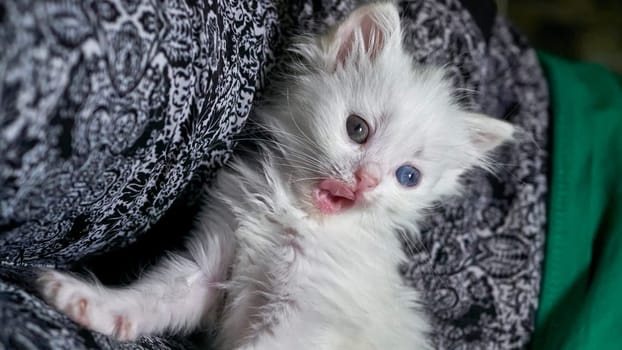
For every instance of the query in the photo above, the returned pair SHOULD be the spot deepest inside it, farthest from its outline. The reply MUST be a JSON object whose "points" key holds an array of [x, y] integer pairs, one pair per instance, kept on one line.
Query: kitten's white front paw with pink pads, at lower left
{"points": [[86, 304]]}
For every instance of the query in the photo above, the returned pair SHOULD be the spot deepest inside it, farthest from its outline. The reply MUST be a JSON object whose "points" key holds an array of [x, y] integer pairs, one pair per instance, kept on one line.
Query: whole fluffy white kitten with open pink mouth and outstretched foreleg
{"points": [[297, 248]]}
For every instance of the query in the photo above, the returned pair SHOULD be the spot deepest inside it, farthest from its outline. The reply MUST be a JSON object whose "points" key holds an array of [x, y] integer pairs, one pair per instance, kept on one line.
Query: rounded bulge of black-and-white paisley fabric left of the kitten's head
{"points": [[110, 109]]}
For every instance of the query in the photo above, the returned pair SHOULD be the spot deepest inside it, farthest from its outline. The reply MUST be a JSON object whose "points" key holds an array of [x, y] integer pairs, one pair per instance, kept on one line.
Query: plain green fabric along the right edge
{"points": [[581, 295]]}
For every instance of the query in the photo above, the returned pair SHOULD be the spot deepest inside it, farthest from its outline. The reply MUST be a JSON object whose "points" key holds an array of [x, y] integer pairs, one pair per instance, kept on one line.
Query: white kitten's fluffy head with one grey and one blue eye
{"points": [[364, 128]]}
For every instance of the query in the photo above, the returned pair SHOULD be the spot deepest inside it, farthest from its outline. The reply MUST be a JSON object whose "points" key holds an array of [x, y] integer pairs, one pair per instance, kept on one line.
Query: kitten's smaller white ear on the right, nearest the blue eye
{"points": [[486, 133]]}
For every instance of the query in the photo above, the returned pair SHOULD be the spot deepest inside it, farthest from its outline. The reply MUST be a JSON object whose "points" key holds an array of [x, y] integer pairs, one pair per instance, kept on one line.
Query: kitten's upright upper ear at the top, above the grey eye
{"points": [[365, 33]]}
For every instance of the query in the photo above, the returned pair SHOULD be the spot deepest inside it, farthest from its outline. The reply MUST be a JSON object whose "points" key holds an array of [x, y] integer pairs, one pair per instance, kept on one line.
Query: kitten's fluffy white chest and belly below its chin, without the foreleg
{"points": [[313, 281]]}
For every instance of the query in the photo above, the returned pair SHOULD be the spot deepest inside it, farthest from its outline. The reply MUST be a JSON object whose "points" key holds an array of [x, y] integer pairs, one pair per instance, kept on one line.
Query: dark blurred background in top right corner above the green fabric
{"points": [[589, 30]]}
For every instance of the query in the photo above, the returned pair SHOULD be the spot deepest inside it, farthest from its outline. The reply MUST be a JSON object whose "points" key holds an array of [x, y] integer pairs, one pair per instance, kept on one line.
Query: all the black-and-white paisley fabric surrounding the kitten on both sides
{"points": [[111, 111]]}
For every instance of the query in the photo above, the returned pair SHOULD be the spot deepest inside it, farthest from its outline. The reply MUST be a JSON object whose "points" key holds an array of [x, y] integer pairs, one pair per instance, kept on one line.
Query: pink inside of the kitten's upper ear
{"points": [[372, 36]]}
